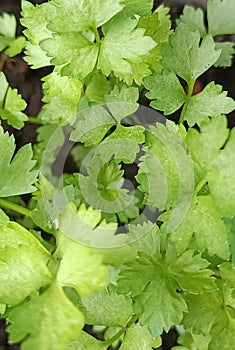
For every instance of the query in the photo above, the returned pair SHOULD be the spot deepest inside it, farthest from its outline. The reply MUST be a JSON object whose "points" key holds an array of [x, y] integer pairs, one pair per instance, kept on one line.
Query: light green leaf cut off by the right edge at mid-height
{"points": [[217, 162]]}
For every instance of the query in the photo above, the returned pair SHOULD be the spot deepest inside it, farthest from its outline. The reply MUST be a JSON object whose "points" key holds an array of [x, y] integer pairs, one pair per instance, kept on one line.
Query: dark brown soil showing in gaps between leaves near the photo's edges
{"points": [[28, 83]]}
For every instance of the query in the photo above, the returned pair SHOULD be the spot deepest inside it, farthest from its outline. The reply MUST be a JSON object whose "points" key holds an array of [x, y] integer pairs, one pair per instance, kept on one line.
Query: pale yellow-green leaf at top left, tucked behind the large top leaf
{"points": [[33, 18]]}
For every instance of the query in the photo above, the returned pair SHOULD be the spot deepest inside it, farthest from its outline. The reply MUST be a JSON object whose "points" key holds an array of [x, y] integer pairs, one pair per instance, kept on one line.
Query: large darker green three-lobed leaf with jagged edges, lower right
{"points": [[153, 283]]}
